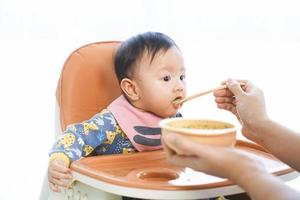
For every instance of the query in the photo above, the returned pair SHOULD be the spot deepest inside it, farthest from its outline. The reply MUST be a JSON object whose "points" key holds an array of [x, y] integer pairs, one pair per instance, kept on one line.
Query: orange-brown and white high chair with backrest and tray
{"points": [[87, 85]]}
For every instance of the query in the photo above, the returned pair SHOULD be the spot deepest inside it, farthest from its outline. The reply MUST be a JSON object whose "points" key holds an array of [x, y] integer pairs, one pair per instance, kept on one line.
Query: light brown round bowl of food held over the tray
{"points": [[203, 131]]}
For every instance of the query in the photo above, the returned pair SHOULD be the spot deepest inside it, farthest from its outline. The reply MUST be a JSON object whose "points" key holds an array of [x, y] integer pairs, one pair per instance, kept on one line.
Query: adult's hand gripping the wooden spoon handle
{"points": [[246, 102]]}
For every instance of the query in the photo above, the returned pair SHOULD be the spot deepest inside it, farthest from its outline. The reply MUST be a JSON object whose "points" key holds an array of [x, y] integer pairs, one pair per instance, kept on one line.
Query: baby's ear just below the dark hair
{"points": [[130, 89]]}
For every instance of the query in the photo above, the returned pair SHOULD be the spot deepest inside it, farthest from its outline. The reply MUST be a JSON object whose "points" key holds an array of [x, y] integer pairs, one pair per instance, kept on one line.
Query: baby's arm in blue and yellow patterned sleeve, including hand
{"points": [[77, 141]]}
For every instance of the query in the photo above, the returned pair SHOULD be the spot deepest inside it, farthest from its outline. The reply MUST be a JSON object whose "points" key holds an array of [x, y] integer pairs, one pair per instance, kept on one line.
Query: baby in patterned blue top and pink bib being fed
{"points": [[151, 73]]}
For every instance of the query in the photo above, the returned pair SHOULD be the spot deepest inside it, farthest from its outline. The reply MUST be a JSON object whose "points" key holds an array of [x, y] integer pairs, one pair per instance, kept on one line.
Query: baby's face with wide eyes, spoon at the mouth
{"points": [[161, 82]]}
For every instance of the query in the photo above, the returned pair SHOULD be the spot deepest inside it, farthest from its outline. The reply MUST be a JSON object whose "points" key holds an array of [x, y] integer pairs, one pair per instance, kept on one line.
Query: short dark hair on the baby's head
{"points": [[133, 49]]}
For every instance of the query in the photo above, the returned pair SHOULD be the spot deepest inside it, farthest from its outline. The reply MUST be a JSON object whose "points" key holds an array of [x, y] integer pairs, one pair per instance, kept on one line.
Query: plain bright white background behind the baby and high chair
{"points": [[255, 40]]}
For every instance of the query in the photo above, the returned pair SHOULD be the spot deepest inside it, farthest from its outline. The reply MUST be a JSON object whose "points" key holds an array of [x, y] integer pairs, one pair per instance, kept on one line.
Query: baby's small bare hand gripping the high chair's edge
{"points": [[59, 175]]}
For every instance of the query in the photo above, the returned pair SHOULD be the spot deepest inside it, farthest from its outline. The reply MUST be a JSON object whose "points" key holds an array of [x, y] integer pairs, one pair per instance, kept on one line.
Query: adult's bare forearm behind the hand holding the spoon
{"points": [[280, 141]]}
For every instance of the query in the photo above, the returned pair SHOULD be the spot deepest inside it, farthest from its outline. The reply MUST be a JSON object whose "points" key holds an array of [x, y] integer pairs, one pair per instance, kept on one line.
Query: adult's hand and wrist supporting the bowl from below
{"points": [[219, 161]]}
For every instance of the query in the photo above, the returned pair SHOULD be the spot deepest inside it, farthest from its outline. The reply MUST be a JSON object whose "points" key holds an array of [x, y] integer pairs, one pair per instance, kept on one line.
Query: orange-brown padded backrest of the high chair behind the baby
{"points": [[87, 82]]}
